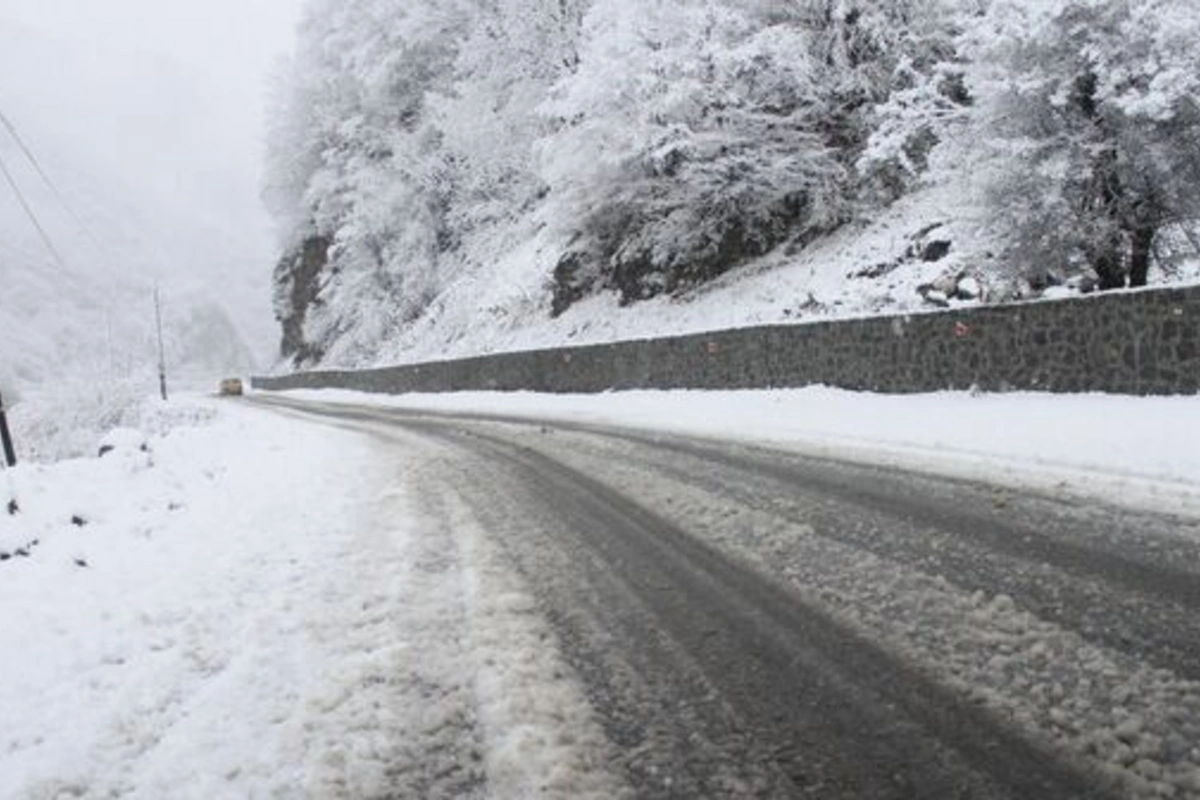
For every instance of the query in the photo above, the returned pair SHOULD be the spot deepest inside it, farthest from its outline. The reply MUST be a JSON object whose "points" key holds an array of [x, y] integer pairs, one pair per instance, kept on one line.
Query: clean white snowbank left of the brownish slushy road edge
{"points": [[152, 643]]}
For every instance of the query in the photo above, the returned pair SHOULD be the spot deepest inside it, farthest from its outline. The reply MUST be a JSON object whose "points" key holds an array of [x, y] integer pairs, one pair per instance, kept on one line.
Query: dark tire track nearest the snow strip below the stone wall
{"points": [[1151, 613]]}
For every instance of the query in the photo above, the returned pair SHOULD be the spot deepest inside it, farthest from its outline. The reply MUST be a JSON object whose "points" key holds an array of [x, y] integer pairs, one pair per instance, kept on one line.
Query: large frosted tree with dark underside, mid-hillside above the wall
{"points": [[688, 142]]}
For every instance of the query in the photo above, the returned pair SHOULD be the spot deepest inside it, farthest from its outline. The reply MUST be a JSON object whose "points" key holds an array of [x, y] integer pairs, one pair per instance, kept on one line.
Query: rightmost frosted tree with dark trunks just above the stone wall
{"points": [[1094, 110]]}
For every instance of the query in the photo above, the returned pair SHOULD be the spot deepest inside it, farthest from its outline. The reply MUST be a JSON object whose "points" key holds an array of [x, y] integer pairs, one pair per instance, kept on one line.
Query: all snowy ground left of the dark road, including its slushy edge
{"points": [[249, 607]]}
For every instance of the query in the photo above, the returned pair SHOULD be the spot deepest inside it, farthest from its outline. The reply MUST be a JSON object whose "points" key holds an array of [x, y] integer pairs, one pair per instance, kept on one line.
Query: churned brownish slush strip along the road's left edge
{"points": [[499, 714]]}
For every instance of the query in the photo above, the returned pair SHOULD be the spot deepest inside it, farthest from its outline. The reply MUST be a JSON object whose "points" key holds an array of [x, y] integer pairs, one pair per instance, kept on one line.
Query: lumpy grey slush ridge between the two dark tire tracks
{"points": [[1132, 721]]}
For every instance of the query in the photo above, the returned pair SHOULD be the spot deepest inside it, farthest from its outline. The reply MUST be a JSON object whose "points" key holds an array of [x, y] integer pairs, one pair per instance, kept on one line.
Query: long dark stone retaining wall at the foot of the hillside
{"points": [[1136, 342]]}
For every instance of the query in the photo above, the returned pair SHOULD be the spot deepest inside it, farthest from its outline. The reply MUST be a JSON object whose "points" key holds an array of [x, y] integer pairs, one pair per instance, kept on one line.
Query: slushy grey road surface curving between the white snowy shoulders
{"points": [[749, 622]]}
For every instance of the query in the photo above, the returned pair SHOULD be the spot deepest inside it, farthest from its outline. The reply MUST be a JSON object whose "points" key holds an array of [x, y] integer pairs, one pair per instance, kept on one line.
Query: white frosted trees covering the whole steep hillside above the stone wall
{"points": [[423, 148]]}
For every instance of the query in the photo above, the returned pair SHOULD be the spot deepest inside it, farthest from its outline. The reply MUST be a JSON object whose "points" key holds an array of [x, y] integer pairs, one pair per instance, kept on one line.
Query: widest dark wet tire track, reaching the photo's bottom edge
{"points": [[851, 705]]}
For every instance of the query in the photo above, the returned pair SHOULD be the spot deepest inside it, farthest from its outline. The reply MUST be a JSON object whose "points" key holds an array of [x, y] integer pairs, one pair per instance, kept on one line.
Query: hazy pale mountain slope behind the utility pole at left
{"points": [[130, 221]]}
